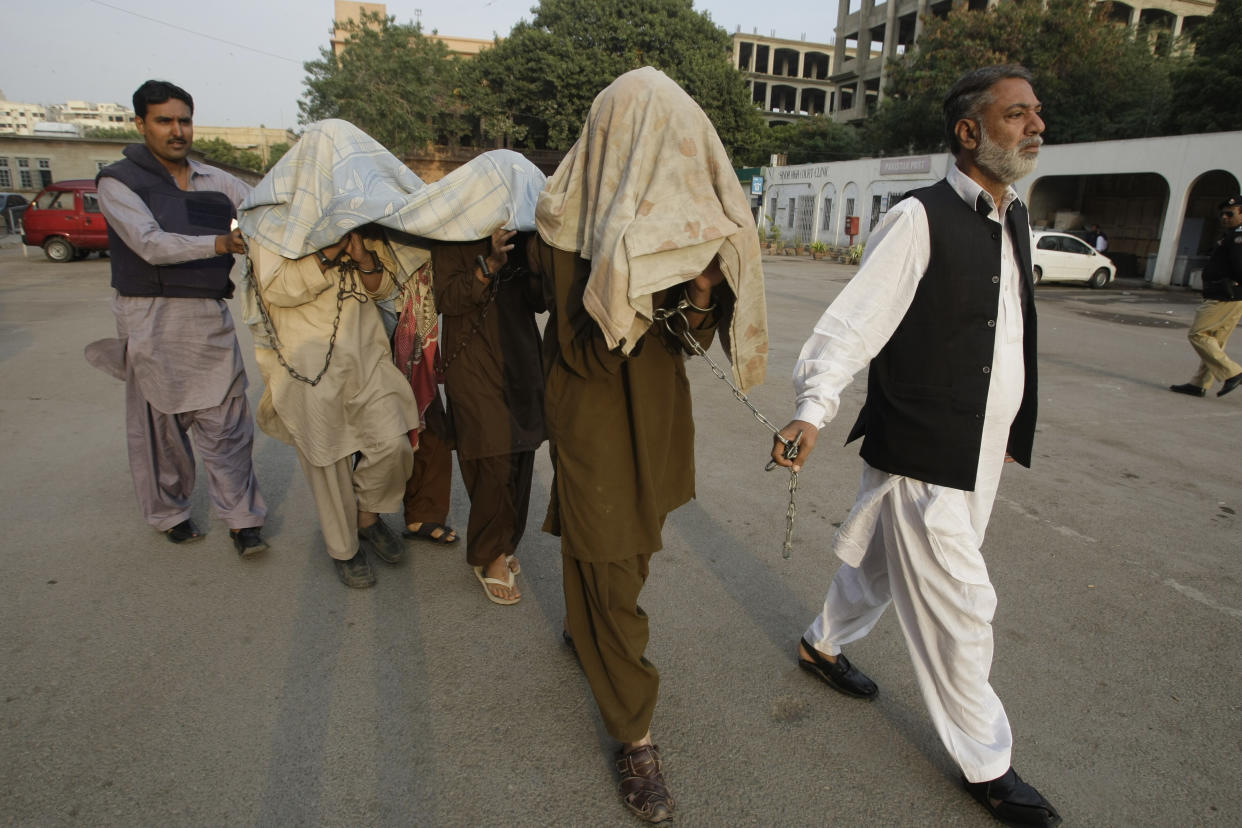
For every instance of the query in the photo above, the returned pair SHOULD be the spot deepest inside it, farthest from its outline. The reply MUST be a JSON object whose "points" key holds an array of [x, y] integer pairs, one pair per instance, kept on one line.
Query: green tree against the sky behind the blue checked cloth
{"points": [[393, 83]]}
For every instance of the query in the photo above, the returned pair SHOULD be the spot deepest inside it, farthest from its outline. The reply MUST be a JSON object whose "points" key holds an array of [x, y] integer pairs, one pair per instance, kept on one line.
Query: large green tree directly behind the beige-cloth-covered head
{"points": [[535, 89]]}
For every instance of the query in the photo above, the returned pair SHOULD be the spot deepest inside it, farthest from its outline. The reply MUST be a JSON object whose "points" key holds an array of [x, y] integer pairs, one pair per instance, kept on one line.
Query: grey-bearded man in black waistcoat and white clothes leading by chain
{"points": [[943, 312]]}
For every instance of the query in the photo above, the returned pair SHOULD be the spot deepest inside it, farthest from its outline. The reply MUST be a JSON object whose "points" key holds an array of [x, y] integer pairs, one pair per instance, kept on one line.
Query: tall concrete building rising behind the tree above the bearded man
{"points": [[896, 25]]}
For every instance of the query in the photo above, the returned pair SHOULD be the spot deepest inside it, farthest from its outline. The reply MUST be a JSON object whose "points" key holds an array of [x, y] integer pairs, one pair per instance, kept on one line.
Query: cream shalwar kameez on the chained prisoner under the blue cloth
{"points": [[362, 405]]}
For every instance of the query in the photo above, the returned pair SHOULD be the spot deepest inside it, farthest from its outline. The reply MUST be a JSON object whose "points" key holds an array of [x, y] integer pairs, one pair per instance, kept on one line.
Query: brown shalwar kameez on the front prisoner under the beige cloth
{"points": [[622, 436]]}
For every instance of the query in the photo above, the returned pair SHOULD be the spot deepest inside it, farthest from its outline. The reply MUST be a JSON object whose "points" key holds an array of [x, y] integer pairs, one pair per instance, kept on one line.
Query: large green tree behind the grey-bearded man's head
{"points": [[1095, 81]]}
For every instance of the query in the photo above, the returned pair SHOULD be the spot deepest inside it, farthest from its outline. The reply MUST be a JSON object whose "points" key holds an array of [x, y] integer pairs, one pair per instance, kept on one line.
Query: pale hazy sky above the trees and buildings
{"points": [[243, 60]]}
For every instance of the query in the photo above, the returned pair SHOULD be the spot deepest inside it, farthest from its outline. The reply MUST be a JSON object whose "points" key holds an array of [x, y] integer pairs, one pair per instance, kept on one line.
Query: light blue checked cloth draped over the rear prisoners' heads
{"points": [[337, 179]]}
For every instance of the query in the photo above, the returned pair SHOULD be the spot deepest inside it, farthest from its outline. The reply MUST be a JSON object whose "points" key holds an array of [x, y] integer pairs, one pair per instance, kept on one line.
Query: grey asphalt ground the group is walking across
{"points": [[147, 685]]}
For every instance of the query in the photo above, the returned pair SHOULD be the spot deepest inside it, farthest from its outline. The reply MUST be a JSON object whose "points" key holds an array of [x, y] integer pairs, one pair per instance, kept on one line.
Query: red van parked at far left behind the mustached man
{"points": [[65, 220]]}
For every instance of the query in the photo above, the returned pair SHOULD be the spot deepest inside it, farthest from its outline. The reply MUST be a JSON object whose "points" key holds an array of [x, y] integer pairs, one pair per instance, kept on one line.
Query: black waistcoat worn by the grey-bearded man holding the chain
{"points": [[927, 390]]}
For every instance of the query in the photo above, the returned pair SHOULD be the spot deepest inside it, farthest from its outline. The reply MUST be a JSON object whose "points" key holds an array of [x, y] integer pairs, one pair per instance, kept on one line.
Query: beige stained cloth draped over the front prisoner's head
{"points": [[649, 196]]}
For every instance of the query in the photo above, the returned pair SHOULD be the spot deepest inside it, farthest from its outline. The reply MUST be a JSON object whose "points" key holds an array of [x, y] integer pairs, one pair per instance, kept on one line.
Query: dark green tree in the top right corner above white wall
{"points": [[1208, 90]]}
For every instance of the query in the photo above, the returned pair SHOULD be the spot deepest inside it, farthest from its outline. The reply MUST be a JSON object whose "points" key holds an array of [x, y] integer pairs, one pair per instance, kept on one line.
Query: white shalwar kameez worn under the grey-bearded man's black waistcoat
{"points": [[911, 543]]}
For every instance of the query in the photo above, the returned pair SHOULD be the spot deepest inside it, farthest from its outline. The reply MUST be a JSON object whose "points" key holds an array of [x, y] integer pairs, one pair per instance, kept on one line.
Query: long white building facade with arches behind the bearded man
{"points": [[1156, 198]]}
